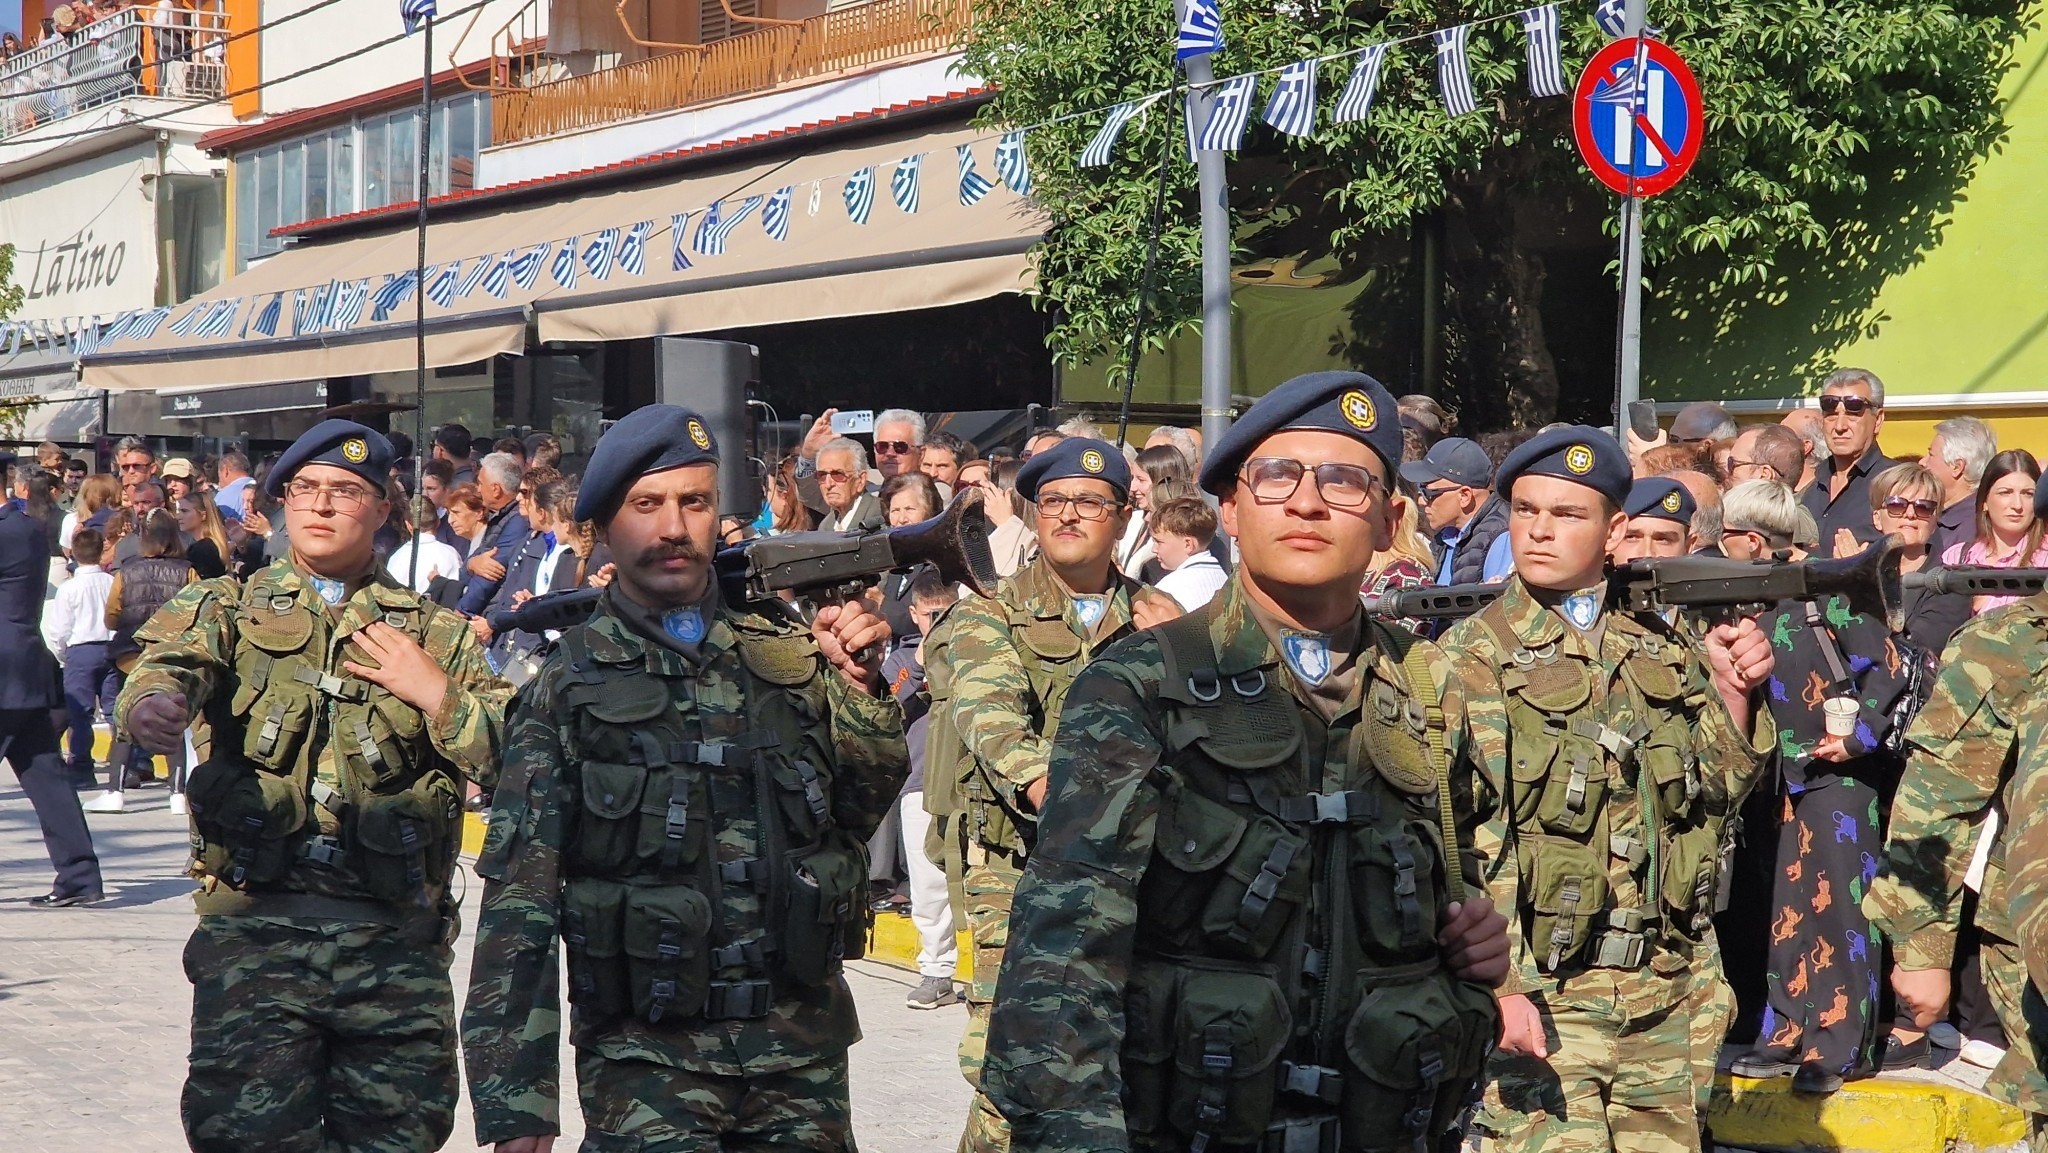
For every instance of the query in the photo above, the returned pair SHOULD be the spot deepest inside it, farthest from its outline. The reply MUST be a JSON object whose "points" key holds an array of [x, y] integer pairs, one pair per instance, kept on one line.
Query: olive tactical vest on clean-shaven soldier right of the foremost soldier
{"points": [[1574, 746]]}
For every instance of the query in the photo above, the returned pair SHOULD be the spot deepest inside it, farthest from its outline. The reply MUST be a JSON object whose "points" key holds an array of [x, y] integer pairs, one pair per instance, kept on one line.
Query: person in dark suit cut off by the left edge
{"points": [[30, 689]]}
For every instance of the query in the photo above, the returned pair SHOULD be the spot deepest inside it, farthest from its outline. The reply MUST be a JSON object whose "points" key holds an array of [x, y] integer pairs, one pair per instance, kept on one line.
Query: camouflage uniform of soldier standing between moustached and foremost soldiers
{"points": [[1000, 671]]}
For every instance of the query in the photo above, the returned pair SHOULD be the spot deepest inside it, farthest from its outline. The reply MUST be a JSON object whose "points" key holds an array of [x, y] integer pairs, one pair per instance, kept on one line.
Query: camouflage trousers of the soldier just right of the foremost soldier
{"points": [[1621, 1072]]}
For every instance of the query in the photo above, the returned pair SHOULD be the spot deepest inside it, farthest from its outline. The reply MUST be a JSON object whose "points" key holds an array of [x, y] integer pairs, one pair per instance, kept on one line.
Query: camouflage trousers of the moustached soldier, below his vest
{"points": [[640, 1107]]}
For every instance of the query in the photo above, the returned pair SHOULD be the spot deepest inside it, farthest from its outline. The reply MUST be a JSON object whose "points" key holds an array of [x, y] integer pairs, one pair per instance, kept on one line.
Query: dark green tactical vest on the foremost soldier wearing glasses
{"points": [[1287, 988]]}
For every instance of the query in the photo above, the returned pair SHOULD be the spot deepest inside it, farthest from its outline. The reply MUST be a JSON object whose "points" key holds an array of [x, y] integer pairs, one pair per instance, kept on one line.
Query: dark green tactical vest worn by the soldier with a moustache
{"points": [[646, 894]]}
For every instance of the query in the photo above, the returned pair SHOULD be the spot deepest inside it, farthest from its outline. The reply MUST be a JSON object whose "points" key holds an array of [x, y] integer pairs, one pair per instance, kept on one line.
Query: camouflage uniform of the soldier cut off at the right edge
{"points": [[1965, 755]]}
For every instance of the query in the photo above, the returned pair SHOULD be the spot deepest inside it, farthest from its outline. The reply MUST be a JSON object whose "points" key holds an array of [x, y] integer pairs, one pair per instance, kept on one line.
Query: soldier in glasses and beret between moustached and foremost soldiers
{"points": [[1000, 671]]}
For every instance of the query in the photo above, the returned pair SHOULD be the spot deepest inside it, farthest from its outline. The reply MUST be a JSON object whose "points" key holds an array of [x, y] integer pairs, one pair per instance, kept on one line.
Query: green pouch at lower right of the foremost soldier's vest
{"points": [[1416, 1050]]}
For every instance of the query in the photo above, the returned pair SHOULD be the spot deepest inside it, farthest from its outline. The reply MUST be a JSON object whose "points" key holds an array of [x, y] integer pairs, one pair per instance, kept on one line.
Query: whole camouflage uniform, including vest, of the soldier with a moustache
{"points": [[691, 822]]}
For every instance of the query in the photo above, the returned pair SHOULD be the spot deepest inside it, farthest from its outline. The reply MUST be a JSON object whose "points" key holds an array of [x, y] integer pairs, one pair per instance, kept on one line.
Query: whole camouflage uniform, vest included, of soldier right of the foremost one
{"points": [[1607, 884]]}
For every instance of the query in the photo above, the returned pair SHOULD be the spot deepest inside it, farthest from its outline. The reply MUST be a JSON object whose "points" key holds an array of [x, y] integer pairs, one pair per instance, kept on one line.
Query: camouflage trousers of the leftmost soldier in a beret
{"points": [[318, 1039]]}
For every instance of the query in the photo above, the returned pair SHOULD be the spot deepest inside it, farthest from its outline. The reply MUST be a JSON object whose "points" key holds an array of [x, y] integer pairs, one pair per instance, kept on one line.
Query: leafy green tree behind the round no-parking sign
{"points": [[1816, 112]]}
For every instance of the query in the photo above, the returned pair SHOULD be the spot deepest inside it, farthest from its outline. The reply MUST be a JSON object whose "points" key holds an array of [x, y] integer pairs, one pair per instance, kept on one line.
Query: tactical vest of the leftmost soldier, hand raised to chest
{"points": [[398, 810]]}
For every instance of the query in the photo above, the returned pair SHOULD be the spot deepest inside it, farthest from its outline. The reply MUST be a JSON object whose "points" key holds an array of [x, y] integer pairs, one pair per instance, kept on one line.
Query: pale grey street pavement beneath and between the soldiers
{"points": [[93, 1009]]}
